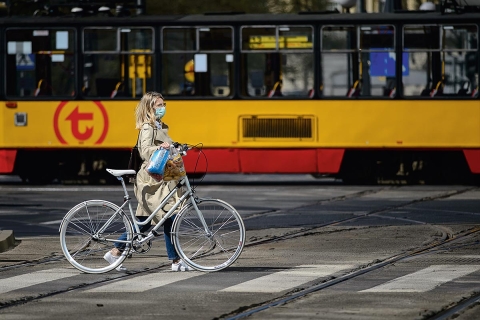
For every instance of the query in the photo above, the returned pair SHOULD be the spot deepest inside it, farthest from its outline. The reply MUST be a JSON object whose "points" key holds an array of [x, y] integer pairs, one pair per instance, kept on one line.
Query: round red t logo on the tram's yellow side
{"points": [[80, 123]]}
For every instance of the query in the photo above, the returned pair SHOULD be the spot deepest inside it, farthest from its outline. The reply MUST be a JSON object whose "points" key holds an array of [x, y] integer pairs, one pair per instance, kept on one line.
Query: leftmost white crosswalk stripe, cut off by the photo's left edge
{"points": [[31, 279]]}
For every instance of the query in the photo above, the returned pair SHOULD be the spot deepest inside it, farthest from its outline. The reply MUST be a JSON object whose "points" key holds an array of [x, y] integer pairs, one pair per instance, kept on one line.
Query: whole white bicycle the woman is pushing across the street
{"points": [[208, 234]]}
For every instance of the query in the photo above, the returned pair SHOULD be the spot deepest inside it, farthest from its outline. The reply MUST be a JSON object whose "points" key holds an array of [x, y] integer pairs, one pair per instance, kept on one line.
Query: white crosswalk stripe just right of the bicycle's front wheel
{"points": [[283, 280]]}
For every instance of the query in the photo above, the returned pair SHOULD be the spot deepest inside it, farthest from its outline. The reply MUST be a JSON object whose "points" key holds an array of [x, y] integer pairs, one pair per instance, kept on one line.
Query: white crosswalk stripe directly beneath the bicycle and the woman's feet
{"points": [[144, 283]]}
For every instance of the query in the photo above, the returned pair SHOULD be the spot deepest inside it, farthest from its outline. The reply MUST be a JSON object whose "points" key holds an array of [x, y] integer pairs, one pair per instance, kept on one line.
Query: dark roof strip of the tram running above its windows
{"points": [[253, 19]]}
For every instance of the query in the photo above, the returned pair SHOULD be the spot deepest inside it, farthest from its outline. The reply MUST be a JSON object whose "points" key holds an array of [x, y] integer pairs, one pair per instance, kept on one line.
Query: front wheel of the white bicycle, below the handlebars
{"points": [[213, 249]]}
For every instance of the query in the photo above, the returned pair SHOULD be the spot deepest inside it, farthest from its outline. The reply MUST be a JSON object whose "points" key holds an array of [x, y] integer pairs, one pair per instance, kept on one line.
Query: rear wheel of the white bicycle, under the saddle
{"points": [[89, 231]]}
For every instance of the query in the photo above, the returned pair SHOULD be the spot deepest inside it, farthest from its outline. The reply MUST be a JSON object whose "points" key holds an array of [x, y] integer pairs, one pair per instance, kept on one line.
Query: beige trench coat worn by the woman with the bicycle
{"points": [[148, 191]]}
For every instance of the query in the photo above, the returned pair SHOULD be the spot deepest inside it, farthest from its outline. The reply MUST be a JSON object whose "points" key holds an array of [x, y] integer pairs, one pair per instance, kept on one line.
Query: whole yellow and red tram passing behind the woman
{"points": [[359, 96]]}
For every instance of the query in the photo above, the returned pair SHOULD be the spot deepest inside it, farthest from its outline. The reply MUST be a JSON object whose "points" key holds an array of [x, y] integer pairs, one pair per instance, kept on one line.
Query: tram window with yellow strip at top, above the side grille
{"points": [[277, 61]]}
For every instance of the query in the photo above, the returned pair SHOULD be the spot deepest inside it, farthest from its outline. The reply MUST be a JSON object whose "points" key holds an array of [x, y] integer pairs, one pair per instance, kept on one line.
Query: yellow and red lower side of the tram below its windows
{"points": [[256, 136]]}
